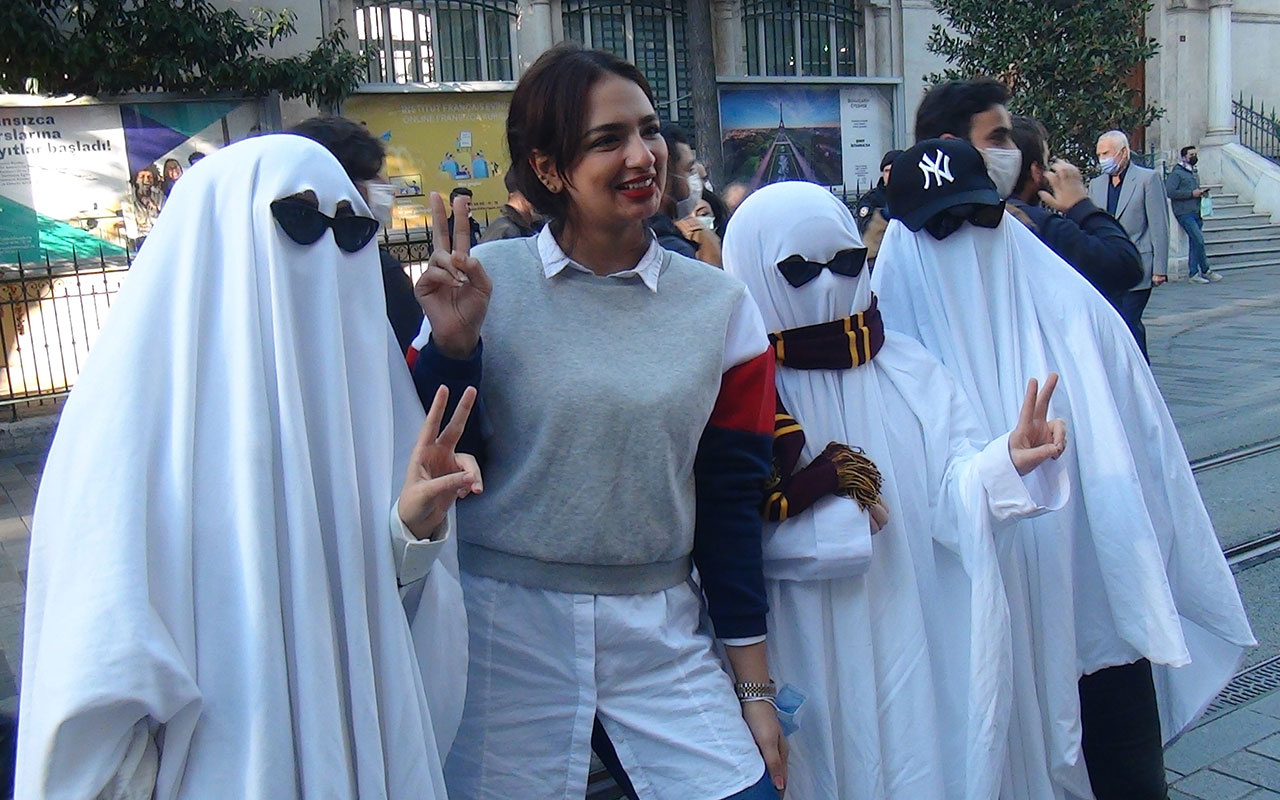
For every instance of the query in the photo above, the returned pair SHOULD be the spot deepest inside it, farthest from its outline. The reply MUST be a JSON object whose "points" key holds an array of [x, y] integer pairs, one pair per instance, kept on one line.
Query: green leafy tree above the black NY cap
{"points": [[1067, 62]]}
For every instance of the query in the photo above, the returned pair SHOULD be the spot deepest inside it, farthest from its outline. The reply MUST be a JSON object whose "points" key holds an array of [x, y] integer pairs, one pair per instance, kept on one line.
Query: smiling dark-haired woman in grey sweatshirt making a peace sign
{"points": [[627, 405]]}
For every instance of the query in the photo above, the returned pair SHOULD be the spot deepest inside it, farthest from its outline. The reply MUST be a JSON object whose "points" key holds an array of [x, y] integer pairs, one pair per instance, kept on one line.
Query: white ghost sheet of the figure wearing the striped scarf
{"points": [[902, 641]]}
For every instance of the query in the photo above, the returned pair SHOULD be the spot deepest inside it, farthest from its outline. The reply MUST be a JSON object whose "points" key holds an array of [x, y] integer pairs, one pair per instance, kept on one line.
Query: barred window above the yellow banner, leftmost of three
{"points": [[426, 42]]}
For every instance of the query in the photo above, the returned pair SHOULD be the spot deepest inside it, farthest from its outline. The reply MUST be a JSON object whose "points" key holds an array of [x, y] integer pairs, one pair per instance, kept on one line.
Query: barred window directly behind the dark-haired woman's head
{"points": [[650, 34]]}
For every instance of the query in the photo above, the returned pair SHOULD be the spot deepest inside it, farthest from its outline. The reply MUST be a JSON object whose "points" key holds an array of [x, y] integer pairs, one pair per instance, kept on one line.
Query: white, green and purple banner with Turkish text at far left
{"points": [[77, 181]]}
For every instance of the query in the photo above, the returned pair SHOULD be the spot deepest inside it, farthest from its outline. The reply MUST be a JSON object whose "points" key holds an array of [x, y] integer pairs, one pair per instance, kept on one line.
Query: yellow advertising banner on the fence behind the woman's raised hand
{"points": [[437, 141]]}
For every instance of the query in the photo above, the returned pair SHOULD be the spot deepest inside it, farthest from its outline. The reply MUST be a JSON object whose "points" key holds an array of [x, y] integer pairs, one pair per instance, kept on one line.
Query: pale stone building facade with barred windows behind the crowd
{"points": [[1212, 51]]}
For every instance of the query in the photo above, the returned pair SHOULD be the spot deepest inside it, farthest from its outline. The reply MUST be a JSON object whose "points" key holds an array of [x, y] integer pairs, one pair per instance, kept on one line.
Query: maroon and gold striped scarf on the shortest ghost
{"points": [[842, 470]]}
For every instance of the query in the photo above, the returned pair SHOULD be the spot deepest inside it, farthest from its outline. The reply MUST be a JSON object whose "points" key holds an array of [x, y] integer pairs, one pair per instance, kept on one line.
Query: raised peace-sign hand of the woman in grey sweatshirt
{"points": [[455, 290]]}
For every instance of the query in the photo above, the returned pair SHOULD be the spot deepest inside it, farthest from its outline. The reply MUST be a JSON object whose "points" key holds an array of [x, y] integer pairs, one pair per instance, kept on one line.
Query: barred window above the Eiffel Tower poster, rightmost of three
{"points": [[801, 38]]}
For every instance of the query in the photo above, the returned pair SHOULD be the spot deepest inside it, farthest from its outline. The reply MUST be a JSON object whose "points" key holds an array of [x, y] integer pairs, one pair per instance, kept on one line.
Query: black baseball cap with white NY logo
{"points": [[936, 176]]}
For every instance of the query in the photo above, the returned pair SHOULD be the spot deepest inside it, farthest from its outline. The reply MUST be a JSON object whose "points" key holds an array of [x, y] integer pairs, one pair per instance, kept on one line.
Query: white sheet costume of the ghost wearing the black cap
{"points": [[1131, 568]]}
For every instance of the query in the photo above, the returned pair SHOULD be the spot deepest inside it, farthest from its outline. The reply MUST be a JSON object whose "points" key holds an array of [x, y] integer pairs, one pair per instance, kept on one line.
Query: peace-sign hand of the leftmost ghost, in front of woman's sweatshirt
{"points": [[437, 476]]}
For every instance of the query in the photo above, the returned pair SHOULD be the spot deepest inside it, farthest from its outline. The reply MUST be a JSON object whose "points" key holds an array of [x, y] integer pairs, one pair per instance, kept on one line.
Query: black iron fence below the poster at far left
{"points": [[51, 314]]}
